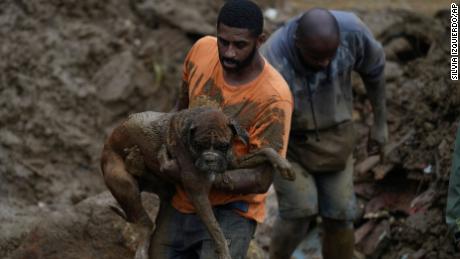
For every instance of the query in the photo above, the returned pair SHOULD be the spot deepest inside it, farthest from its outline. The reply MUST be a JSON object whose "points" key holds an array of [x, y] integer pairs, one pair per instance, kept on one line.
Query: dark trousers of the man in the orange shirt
{"points": [[183, 236]]}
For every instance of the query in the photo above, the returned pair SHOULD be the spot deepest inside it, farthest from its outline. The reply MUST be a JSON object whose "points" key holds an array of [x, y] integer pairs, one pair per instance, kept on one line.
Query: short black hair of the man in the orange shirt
{"points": [[242, 14]]}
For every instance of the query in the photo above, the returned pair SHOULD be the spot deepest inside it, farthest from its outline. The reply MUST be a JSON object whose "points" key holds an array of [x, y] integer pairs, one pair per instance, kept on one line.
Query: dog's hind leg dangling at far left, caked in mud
{"points": [[126, 191]]}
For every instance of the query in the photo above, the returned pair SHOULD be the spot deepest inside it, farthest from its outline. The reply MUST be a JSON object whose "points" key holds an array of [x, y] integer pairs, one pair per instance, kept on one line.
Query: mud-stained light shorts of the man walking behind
{"points": [[329, 194]]}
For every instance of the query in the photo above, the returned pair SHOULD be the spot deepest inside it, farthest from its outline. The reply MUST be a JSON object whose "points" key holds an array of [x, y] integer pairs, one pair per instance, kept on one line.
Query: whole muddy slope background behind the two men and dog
{"points": [[71, 70]]}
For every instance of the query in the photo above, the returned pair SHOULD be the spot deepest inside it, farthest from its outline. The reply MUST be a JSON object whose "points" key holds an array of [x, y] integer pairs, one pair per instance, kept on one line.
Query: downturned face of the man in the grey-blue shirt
{"points": [[316, 54]]}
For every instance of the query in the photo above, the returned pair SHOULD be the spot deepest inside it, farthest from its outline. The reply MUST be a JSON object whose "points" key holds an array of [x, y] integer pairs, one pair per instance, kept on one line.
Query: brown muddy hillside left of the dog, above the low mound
{"points": [[70, 70]]}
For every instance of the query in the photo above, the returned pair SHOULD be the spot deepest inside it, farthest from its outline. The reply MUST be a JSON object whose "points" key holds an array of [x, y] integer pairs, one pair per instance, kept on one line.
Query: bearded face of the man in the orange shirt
{"points": [[237, 47]]}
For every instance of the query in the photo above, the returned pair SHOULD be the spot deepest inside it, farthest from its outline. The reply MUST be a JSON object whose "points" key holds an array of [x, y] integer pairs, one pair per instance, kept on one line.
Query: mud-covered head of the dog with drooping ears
{"points": [[209, 136]]}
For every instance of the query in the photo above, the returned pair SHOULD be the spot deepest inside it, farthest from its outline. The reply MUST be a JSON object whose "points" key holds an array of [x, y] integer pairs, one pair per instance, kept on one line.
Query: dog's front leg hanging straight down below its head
{"points": [[197, 188]]}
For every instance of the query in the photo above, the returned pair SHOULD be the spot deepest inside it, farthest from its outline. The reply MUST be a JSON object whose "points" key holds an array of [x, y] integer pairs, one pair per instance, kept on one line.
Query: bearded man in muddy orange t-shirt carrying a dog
{"points": [[228, 72]]}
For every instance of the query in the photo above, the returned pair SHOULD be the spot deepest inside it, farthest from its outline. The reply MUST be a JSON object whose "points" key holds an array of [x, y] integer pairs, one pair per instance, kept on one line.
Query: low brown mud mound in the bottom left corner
{"points": [[88, 230]]}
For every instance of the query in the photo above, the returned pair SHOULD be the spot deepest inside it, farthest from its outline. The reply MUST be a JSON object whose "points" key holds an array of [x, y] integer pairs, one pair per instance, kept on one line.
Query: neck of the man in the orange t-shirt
{"points": [[247, 74]]}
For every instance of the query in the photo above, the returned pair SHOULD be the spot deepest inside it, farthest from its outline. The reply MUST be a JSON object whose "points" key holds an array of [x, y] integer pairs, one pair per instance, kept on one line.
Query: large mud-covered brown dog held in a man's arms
{"points": [[138, 153]]}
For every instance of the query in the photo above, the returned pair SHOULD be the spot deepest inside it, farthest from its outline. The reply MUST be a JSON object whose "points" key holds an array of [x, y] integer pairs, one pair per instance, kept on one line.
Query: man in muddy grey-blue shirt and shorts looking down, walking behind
{"points": [[316, 53]]}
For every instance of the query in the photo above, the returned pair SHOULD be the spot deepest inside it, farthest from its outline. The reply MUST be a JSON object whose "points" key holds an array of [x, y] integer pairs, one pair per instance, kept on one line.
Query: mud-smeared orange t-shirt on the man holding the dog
{"points": [[263, 107]]}
